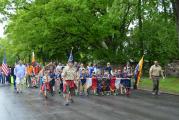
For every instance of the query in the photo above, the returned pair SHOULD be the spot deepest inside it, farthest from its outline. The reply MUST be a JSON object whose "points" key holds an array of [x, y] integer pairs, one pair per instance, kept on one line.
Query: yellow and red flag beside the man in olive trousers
{"points": [[138, 71]]}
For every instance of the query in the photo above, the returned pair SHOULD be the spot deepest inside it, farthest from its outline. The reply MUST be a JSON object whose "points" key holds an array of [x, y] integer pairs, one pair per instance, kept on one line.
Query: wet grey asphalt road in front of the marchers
{"points": [[141, 105]]}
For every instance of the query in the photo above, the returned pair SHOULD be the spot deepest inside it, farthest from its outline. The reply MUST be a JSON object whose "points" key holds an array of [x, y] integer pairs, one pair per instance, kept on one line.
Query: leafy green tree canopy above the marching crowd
{"points": [[102, 30]]}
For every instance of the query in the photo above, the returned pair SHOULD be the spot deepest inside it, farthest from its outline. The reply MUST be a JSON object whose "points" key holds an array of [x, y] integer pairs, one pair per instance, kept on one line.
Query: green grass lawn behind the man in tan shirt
{"points": [[170, 84]]}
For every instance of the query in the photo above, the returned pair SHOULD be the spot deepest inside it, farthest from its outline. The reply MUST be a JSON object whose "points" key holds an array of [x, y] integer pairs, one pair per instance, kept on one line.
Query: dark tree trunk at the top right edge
{"points": [[177, 17]]}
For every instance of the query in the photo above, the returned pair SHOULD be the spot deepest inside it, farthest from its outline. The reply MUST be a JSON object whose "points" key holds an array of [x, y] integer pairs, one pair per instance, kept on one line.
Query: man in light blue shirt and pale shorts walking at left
{"points": [[19, 72]]}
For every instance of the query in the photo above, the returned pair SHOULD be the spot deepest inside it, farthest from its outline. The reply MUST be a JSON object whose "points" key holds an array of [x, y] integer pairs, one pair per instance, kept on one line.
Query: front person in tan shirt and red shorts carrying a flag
{"points": [[69, 76]]}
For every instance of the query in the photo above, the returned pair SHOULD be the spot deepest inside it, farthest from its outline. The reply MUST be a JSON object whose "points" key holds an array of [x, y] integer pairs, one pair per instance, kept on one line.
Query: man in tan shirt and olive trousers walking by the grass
{"points": [[155, 73]]}
